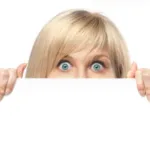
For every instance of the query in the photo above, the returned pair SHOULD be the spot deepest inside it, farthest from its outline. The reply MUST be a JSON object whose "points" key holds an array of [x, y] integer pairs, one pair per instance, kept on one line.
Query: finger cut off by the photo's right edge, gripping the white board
{"points": [[146, 80]]}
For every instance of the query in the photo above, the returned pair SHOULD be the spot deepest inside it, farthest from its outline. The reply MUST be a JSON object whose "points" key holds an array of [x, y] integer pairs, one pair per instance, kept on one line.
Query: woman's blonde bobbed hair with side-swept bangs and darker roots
{"points": [[77, 30]]}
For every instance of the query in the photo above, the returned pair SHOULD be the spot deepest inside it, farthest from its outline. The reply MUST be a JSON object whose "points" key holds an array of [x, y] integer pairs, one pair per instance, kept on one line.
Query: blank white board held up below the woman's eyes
{"points": [[76, 114]]}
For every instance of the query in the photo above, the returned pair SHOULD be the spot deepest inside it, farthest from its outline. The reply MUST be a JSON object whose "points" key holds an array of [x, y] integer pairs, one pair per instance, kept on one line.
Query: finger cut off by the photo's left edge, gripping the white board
{"points": [[4, 76]]}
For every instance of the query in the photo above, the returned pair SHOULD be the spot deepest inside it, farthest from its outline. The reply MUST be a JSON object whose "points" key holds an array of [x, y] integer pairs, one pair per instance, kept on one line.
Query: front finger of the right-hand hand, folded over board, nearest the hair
{"points": [[140, 83]]}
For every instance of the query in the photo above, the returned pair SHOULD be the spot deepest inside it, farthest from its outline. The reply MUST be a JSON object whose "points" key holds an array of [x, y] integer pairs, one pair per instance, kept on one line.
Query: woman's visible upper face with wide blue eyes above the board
{"points": [[82, 64]]}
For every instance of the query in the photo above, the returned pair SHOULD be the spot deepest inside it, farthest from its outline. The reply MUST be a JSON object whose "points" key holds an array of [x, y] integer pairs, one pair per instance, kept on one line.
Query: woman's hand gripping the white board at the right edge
{"points": [[142, 77]]}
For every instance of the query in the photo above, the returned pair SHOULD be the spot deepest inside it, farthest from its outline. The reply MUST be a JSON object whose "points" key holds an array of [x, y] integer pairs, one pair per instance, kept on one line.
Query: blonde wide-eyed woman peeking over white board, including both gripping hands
{"points": [[78, 44]]}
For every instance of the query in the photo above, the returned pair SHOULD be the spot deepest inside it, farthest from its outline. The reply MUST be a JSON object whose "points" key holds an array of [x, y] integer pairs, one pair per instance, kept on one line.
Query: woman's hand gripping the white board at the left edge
{"points": [[8, 79]]}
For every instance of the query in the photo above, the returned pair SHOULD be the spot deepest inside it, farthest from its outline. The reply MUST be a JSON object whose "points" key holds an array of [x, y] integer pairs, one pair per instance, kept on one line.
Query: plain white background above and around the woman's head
{"points": [[21, 21]]}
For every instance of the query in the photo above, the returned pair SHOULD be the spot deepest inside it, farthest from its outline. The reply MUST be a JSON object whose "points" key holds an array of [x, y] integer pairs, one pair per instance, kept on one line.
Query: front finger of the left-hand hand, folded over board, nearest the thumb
{"points": [[11, 81]]}
